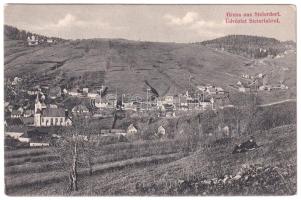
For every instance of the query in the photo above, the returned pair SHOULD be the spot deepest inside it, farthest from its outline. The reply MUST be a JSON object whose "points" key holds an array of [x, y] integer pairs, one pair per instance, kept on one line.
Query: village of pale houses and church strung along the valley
{"points": [[45, 107]]}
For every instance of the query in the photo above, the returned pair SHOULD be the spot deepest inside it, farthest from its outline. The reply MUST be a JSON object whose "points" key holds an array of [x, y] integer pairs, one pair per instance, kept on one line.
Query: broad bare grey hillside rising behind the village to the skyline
{"points": [[132, 66]]}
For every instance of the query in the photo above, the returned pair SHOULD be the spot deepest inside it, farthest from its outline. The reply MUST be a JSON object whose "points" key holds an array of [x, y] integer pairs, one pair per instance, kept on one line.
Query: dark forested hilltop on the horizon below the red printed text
{"points": [[248, 46]]}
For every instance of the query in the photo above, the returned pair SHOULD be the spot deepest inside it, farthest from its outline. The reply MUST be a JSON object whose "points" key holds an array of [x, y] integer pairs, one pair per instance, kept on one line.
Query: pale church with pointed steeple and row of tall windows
{"points": [[49, 115]]}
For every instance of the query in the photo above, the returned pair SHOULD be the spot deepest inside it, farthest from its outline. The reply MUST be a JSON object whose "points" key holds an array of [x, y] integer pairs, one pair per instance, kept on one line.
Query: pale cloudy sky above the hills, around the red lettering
{"points": [[159, 23]]}
